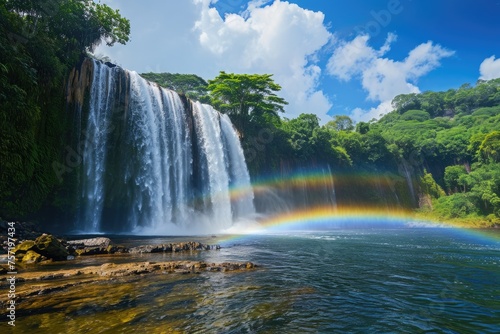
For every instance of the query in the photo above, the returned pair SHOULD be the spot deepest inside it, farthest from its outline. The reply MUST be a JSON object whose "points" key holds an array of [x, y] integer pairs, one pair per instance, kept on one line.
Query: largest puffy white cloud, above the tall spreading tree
{"points": [[280, 38]]}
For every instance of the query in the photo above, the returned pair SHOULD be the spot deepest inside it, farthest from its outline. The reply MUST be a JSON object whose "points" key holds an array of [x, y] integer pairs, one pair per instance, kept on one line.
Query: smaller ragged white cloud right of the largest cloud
{"points": [[381, 77]]}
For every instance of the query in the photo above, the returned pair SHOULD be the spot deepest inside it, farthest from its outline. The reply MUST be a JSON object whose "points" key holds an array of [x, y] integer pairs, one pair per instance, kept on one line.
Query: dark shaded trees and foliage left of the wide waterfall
{"points": [[40, 42]]}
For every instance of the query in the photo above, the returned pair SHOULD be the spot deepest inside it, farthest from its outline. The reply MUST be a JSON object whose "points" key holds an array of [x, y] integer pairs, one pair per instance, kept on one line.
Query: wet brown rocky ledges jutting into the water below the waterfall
{"points": [[33, 250]]}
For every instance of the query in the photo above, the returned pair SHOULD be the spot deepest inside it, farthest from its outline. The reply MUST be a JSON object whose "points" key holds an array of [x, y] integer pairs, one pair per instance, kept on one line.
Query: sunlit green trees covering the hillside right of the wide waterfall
{"points": [[443, 147]]}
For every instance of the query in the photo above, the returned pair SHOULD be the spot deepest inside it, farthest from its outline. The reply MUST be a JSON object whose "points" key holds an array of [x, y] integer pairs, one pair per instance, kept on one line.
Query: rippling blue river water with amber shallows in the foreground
{"points": [[344, 281]]}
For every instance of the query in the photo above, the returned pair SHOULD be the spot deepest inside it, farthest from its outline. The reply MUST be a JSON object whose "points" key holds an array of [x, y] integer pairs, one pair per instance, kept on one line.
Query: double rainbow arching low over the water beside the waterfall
{"points": [[328, 217]]}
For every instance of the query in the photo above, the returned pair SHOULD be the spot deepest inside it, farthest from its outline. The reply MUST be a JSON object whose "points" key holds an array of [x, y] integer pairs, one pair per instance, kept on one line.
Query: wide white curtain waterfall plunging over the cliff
{"points": [[154, 163]]}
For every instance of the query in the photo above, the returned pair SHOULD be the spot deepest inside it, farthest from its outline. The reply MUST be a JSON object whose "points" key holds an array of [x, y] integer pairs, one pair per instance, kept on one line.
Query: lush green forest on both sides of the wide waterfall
{"points": [[438, 152]]}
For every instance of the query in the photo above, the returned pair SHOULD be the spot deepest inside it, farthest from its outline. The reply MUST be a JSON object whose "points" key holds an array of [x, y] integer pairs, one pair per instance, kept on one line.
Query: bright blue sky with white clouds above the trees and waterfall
{"points": [[330, 56]]}
